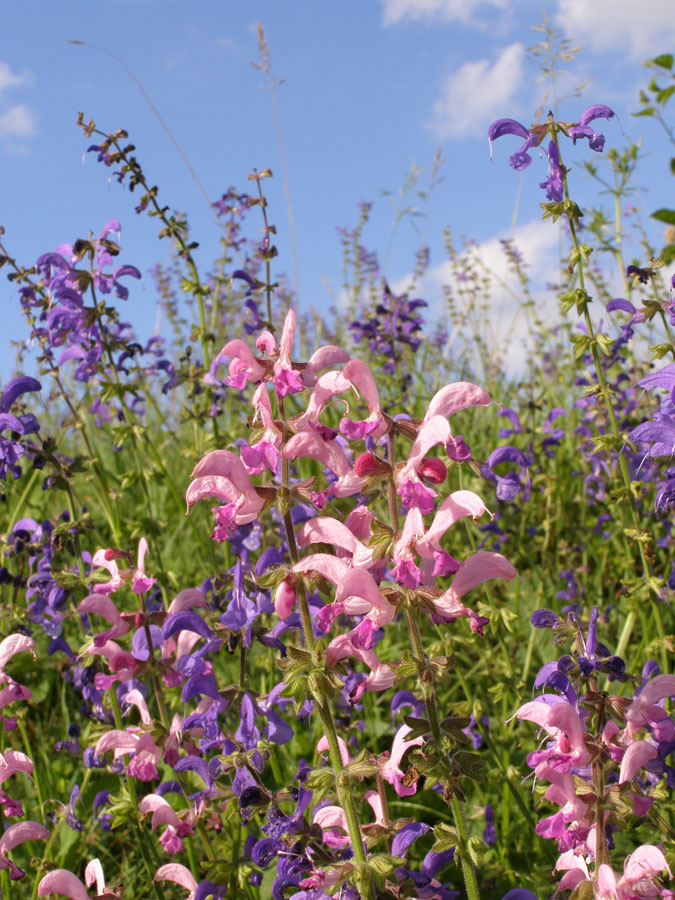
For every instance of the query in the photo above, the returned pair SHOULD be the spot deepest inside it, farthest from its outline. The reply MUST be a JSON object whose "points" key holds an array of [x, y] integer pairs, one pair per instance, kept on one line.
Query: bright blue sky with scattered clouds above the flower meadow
{"points": [[369, 87]]}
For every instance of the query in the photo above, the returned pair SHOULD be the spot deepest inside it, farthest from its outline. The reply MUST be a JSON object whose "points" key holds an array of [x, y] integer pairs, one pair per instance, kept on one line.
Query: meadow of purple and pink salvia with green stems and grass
{"points": [[413, 637]]}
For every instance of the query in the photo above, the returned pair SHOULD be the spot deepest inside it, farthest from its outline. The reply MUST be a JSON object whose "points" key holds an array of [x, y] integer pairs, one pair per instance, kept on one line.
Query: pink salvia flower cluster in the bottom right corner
{"points": [[597, 763]]}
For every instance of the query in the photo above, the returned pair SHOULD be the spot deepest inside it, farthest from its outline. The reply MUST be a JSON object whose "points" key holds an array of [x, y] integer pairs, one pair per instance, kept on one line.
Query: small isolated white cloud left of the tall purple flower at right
{"points": [[476, 93]]}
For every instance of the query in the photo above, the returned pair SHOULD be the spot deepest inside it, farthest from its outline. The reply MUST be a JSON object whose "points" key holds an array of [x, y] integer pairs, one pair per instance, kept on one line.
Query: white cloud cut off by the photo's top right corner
{"points": [[646, 29]]}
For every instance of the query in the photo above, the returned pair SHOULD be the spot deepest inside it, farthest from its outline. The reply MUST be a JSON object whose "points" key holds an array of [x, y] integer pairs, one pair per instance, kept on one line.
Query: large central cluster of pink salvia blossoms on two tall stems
{"points": [[367, 586]]}
